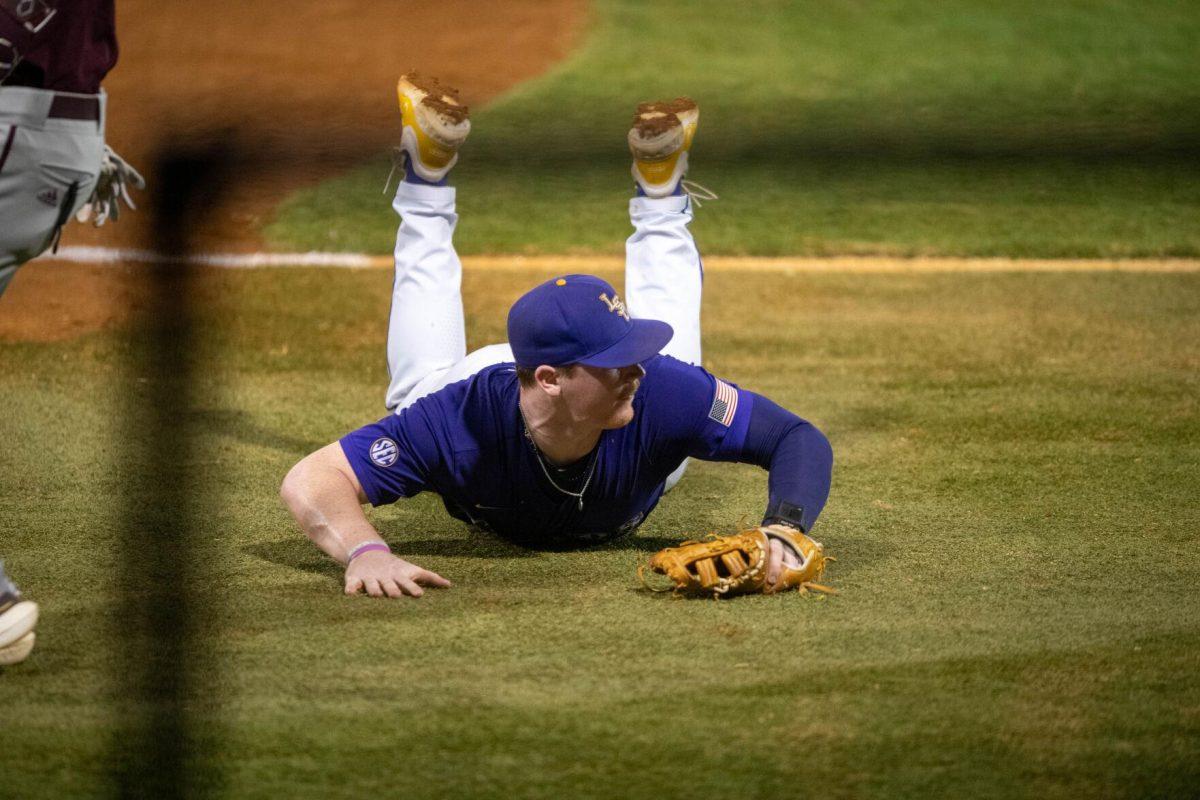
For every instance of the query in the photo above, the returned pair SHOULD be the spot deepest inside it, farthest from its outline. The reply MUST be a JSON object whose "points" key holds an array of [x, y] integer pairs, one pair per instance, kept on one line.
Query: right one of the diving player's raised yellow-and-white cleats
{"points": [[661, 140]]}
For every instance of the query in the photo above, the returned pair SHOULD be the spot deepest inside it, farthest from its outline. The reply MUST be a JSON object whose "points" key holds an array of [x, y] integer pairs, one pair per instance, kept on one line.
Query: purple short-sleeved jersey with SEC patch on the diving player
{"points": [[467, 444]]}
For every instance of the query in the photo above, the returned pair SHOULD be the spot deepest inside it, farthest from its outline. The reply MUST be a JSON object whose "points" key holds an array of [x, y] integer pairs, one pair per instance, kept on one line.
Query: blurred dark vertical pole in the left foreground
{"points": [[157, 753]]}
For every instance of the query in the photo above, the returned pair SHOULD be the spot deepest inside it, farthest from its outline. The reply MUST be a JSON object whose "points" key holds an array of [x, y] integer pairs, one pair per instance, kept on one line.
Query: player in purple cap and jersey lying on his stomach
{"points": [[572, 432]]}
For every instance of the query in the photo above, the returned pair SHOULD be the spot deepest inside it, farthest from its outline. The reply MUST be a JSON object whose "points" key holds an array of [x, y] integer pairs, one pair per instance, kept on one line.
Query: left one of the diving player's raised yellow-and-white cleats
{"points": [[435, 125]]}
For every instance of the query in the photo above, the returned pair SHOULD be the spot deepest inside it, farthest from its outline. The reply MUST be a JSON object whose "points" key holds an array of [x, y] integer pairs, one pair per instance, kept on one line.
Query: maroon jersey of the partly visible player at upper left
{"points": [[62, 45]]}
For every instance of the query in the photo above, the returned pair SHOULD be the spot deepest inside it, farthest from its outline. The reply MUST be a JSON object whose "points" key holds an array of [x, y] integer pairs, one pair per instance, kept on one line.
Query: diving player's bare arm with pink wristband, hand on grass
{"points": [[326, 497]]}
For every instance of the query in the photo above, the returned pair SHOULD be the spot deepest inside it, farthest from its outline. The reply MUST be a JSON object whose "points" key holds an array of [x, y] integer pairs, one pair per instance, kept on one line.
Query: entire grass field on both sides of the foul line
{"points": [[1017, 455]]}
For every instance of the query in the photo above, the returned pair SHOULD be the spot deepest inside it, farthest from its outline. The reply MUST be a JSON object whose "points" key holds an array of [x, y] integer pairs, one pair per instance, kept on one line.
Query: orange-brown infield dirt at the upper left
{"points": [[315, 81]]}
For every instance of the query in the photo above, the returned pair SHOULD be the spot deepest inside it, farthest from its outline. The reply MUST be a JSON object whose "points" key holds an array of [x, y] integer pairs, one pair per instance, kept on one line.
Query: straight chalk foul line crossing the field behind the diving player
{"points": [[79, 255]]}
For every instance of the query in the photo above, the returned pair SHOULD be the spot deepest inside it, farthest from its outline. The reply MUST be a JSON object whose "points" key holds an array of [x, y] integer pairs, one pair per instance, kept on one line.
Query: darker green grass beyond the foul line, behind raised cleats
{"points": [[904, 128]]}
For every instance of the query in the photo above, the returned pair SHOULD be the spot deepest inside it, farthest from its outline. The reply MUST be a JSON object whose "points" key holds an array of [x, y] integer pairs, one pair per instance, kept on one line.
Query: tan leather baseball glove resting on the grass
{"points": [[723, 567]]}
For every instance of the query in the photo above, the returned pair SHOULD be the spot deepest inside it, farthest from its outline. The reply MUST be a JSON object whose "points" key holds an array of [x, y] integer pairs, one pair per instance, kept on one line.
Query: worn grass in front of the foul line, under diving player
{"points": [[1015, 510]]}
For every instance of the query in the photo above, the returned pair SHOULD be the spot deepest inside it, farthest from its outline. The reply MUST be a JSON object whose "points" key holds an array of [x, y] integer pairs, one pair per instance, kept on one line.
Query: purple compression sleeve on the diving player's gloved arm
{"points": [[799, 458]]}
